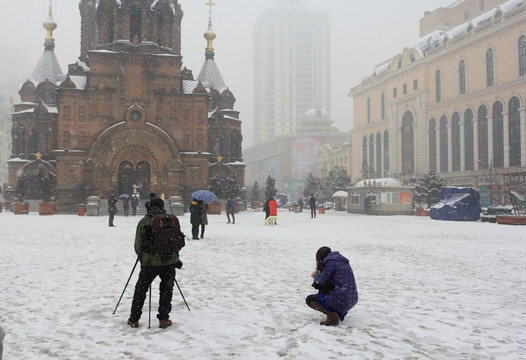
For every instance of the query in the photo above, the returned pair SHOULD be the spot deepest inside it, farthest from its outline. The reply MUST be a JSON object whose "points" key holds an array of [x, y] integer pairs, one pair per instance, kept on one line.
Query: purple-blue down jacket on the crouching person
{"points": [[343, 294]]}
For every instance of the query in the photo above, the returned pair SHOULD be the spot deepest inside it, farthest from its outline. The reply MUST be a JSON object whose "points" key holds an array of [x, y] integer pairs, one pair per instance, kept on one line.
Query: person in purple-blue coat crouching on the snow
{"points": [[334, 280]]}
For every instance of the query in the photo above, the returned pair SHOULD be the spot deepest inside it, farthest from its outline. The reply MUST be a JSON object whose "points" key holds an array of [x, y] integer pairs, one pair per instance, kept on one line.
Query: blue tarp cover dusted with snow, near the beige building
{"points": [[457, 204]]}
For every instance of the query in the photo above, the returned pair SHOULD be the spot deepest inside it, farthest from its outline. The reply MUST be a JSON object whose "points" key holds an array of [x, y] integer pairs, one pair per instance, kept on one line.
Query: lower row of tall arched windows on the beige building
{"points": [[482, 140]]}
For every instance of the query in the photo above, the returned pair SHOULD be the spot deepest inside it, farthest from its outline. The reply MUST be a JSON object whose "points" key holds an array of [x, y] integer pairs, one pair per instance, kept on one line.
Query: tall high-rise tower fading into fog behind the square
{"points": [[291, 67]]}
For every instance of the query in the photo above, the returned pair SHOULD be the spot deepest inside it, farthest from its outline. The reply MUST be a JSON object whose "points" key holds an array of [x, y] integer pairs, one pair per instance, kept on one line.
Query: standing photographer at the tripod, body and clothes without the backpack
{"points": [[153, 265]]}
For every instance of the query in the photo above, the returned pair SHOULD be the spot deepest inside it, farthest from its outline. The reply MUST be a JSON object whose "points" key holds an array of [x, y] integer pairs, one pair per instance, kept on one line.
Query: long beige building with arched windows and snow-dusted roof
{"points": [[453, 103]]}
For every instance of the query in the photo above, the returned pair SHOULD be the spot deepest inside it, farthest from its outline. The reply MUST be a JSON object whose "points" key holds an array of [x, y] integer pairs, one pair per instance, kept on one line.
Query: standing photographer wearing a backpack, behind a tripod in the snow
{"points": [[156, 260]]}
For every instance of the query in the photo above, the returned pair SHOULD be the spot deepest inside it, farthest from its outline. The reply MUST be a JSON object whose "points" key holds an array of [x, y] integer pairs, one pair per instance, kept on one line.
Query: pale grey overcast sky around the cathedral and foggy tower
{"points": [[364, 33]]}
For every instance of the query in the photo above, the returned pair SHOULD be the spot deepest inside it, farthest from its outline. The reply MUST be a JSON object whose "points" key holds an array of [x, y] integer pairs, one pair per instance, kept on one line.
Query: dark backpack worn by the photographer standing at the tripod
{"points": [[167, 238]]}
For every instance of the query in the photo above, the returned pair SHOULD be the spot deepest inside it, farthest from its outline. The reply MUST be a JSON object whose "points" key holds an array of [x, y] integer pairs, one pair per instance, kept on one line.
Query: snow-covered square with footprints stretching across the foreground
{"points": [[428, 290]]}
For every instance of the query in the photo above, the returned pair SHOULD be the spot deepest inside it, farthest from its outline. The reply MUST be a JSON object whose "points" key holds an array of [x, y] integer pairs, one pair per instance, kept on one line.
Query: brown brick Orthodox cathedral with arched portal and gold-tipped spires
{"points": [[126, 113]]}
